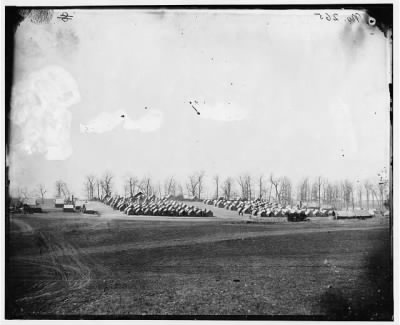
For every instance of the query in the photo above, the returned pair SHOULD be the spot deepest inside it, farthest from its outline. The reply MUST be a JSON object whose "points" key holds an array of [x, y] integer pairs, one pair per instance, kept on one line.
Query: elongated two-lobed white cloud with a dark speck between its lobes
{"points": [[107, 121]]}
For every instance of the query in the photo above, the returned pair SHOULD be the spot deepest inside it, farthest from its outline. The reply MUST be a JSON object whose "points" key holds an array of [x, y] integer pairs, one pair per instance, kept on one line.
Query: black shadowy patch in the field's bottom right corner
{"points": [[373, 298]]}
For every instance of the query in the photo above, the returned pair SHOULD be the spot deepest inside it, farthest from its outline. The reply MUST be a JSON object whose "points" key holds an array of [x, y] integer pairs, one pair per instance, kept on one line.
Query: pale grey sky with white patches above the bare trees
{"points": [[280, 92]]}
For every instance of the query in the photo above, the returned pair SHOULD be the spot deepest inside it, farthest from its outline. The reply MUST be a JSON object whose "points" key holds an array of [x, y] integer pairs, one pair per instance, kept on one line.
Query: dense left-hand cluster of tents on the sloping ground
{"points": [[152, 206]]}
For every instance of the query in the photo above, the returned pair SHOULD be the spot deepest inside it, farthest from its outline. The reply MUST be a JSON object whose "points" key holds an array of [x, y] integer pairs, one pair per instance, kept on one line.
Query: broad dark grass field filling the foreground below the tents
{"points": [[71, 265]]}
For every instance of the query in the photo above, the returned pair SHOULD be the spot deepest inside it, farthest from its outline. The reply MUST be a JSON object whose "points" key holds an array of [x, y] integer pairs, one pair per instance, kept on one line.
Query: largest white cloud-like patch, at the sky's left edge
{"points": [[39, 106]]}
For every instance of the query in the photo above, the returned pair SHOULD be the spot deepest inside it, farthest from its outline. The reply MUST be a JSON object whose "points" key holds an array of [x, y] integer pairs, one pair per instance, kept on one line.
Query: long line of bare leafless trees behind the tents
{"points": [[318, 191]]}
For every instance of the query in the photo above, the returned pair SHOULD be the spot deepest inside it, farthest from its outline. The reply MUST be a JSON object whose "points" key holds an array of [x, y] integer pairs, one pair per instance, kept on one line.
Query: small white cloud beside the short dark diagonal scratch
{"points": [[227, 112]]}
